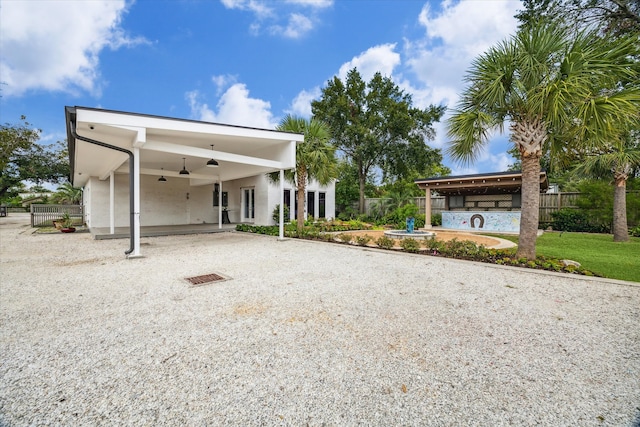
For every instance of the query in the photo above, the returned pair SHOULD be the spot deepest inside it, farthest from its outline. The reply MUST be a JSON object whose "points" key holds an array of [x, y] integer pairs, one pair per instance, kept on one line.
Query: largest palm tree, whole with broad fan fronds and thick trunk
{"points": [[551, 87]]}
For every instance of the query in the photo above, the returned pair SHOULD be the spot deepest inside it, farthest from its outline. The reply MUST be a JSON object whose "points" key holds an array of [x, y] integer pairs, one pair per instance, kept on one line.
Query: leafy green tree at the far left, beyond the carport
{"points": [[23, 159]]}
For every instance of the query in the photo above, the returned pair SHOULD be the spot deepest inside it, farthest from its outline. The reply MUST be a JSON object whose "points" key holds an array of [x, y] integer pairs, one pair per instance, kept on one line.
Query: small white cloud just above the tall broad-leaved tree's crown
{"points": [[382, 58]]}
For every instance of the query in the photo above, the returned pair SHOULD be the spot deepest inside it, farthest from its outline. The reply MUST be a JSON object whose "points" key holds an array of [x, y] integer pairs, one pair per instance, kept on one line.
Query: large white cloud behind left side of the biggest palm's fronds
{"points": [[453, 38]]}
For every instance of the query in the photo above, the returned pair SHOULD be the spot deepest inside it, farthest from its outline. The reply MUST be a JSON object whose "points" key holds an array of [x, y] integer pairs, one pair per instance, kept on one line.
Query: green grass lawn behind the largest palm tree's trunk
{"points": [[596, 252]]}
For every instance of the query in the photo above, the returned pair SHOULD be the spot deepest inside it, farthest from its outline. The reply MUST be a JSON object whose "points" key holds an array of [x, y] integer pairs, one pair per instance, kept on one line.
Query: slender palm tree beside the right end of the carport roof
{"points": [[315, 158]]}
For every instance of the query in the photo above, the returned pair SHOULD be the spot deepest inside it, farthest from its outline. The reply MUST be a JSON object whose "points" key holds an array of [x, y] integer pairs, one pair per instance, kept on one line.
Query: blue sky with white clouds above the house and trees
{"points": [[243, 62]]}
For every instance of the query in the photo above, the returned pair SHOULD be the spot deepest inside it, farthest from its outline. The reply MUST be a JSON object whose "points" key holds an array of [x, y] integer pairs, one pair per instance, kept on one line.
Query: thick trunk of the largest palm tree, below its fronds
{"points": [[530, 210]]}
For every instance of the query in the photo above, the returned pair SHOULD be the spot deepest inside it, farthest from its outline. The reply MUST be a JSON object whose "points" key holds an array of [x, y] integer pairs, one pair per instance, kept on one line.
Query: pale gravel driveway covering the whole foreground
{"points": [[304, 333]]}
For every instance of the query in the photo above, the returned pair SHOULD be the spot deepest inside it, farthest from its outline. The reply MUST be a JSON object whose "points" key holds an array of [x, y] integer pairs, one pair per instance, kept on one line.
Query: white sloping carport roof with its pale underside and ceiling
{"points": [[163, 142]]}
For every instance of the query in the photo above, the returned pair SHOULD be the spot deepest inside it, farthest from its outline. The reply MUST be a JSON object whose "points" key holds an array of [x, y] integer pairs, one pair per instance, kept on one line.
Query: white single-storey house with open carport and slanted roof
{"points": [[142, 170]]}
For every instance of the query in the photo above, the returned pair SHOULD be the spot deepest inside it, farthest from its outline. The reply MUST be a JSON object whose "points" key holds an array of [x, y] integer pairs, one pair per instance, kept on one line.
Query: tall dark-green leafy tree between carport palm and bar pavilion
{"points": [[375, 125]]}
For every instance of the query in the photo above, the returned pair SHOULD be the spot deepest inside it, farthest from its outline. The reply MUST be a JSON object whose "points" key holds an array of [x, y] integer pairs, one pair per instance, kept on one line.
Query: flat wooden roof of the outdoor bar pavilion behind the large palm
{"points": [[489, 183]]}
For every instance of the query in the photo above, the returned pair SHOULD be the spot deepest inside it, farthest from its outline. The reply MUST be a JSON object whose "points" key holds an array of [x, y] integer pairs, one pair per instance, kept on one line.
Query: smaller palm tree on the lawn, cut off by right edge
{"points": [[618, 159]]}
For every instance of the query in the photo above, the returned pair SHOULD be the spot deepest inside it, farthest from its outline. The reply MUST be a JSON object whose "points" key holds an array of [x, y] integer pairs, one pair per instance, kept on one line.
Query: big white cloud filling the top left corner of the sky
{"points": [[55, 46]]}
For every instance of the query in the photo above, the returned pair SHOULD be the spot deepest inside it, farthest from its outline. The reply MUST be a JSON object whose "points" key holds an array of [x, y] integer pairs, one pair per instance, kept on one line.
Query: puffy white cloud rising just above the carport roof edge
{"points": [[234, 107]]}
